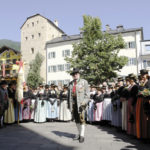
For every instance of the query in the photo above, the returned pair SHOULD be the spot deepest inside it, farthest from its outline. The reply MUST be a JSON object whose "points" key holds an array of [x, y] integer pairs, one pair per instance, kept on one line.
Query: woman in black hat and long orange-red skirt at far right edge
{"points": [[143, 107]]}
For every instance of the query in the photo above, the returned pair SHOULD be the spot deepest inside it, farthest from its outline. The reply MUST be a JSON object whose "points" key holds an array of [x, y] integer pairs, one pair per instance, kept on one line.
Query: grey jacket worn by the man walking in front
{"points": [[82, 93]]}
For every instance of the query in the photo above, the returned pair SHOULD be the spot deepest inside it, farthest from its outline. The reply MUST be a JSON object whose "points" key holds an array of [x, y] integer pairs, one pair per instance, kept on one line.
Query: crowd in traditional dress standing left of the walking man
{"points": [[45, 103]]}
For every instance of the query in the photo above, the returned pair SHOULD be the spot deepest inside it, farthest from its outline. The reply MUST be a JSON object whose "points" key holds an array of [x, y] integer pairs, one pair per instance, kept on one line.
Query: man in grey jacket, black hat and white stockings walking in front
{"points": [[79, 96]]}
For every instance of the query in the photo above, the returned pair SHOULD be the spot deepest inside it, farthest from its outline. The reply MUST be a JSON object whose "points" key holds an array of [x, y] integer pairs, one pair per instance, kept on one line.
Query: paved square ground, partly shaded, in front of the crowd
{"points": [[59, 136]]}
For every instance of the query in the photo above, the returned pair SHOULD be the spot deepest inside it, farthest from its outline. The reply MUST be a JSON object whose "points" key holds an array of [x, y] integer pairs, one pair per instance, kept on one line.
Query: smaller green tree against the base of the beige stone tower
{"points": [[34, 78]]}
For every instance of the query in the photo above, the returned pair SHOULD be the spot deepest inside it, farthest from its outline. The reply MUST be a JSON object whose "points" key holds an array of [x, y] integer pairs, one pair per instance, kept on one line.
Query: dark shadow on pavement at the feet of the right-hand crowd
{"points": [[119, 136]]}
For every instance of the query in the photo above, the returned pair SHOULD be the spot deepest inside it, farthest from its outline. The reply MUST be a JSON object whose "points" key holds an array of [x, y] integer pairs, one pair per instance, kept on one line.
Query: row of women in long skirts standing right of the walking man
{"points": [[124, 105]]}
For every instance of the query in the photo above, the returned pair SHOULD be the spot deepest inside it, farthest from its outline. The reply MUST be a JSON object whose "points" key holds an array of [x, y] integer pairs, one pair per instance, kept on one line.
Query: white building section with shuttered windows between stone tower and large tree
{"points": [[57, 67]]}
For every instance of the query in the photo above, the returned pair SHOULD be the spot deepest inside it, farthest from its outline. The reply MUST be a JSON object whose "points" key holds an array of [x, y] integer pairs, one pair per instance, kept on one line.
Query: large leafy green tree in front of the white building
{"points": [[97, 52]]}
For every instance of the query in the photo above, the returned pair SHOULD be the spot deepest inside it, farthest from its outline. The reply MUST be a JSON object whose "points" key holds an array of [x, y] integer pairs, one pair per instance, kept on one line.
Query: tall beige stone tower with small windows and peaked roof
{"points": [[35, 32]]}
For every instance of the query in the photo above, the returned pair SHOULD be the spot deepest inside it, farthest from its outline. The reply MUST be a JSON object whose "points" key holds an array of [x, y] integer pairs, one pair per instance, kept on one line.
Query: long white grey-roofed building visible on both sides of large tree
{"points": [[56, 66]]}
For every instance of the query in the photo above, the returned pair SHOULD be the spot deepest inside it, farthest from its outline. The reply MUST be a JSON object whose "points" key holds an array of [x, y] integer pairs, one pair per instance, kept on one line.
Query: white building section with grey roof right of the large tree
{"points": [[132, 38]]}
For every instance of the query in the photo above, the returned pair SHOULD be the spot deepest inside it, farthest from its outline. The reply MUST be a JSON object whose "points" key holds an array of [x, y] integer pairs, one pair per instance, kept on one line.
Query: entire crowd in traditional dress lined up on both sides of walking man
{"points": [[124, 104]]}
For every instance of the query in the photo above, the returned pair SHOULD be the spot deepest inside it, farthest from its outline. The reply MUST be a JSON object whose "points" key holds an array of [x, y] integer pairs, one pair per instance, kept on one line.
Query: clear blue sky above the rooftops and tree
{"points": [[130, 13]]}
